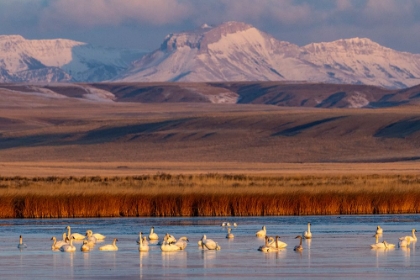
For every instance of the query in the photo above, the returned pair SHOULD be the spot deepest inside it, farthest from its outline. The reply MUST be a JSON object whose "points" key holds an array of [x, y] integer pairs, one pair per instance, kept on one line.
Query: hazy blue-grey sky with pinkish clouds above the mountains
{"points": [[143, 24]]}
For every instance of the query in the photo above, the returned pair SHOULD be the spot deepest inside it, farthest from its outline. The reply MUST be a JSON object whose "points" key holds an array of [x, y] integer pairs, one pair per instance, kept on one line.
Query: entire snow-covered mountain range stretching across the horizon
{"points": [[231, 51]]}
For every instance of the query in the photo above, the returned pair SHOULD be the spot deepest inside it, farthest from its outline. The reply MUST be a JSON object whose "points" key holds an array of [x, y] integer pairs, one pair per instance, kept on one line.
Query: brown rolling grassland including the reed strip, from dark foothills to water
{"points": [[180, 159]]}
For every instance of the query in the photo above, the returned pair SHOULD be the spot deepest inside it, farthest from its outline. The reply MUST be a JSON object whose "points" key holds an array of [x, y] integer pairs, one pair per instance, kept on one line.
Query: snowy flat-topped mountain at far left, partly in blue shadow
{"points": [[59, 60]]}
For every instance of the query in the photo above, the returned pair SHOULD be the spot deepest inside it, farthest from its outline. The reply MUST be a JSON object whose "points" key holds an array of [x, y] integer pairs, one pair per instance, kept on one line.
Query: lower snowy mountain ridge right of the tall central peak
{"points": [[360, 60]]}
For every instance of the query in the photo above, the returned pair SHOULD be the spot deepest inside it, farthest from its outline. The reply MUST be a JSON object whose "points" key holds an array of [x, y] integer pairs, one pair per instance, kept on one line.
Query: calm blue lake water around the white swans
{"points": [[340, 248]]}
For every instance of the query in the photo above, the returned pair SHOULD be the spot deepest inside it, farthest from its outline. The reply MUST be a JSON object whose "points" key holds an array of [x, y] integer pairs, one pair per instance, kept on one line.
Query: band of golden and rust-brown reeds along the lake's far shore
{"points": [[166, 195]]}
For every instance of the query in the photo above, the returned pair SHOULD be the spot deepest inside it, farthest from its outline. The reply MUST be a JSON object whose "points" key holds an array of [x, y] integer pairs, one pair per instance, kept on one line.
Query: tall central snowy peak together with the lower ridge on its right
{"points": [[235, 51]]}
